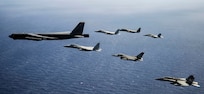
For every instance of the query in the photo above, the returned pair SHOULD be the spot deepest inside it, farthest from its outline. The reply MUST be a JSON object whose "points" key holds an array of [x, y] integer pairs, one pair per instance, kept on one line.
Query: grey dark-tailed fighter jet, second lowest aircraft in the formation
{"points": [[131, 58]]}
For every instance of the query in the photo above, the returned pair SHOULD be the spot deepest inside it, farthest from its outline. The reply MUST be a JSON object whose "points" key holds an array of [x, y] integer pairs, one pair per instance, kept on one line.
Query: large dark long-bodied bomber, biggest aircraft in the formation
{"points": [[76, 33]]}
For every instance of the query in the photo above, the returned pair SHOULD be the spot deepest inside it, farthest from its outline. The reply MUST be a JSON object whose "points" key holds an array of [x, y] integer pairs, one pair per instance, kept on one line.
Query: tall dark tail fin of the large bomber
{"points": [[78, 30]]}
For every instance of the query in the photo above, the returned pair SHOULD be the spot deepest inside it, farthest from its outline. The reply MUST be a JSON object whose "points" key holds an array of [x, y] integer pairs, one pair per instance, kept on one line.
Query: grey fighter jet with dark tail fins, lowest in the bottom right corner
{"points": [[181, 81]]}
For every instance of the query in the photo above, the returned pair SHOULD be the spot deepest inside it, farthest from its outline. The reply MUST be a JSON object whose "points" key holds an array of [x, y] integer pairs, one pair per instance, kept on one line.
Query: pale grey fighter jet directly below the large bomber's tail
{"points": [[85, 48]]}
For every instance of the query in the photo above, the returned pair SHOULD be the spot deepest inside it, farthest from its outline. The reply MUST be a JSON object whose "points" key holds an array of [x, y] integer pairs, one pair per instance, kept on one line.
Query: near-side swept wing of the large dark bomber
{"points": [[33, 36]]}
